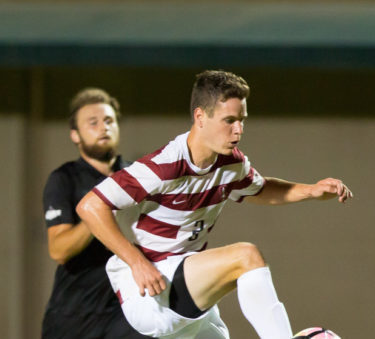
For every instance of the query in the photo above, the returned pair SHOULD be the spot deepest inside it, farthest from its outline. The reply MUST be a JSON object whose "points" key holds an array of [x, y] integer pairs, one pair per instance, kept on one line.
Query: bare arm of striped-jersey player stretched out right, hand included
{"points": [[278, 191]]}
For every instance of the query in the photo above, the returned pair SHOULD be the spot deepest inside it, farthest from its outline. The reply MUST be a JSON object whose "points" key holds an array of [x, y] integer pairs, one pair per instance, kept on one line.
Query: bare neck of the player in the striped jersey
{"points": [[200, 155]]}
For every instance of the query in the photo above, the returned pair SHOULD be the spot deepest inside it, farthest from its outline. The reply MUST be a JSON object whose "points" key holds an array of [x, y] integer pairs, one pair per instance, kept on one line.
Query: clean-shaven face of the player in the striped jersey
{"points": [[224, 129]]}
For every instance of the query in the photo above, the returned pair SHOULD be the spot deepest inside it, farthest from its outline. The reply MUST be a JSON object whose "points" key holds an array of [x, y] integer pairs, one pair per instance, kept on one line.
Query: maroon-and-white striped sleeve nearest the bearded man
{"points": [[129, 186]]}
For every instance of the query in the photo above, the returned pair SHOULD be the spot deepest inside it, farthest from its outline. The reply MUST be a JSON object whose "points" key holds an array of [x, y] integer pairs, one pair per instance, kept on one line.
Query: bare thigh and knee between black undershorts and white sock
{"points": [[213, 273]]}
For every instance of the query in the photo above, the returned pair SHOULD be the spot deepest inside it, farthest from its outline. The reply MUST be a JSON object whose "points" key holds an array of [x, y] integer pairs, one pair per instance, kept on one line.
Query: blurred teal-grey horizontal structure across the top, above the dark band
{"points": [[183, 34]]}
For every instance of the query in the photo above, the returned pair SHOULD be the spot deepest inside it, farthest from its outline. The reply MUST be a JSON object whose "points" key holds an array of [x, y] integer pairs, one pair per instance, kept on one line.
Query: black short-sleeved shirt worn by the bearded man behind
{"points": [[81, 287]]}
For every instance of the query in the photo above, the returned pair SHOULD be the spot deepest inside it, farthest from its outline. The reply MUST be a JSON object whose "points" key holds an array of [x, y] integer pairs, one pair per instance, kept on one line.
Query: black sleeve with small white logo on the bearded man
{"points": [[57, 200]]}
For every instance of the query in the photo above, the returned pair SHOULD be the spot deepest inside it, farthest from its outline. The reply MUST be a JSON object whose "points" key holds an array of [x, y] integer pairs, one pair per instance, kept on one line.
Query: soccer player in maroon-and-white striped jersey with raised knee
{"points": [[167, 281]]}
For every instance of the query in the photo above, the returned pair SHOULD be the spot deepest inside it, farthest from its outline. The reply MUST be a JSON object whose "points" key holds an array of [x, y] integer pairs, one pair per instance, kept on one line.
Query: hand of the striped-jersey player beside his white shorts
{"points": [[148, 277]]}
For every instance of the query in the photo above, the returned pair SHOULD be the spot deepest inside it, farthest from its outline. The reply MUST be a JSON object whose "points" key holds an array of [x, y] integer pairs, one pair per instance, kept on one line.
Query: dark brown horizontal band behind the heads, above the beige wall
{"points": [[275, 91]]}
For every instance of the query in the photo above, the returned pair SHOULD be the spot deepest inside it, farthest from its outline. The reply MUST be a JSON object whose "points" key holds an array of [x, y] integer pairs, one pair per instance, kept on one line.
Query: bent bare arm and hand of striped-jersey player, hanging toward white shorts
{"points": [[99, 218]]}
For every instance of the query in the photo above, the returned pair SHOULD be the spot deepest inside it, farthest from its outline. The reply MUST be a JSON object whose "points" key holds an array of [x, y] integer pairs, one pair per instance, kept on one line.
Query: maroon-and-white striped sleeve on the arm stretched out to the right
{"points": [[251, 183]]}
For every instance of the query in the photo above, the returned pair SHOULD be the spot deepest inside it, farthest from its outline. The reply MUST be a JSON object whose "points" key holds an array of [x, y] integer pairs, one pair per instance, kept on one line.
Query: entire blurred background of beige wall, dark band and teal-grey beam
{"points": [[311, 68]]}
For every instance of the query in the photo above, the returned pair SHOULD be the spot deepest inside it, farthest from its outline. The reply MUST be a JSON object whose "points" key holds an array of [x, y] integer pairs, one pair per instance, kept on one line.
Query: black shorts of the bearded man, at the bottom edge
{"points": [[108, 326]]}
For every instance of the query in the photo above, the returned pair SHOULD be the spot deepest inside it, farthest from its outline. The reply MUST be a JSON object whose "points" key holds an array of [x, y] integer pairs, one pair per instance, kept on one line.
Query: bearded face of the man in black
{"points": [[98, 131]]}
